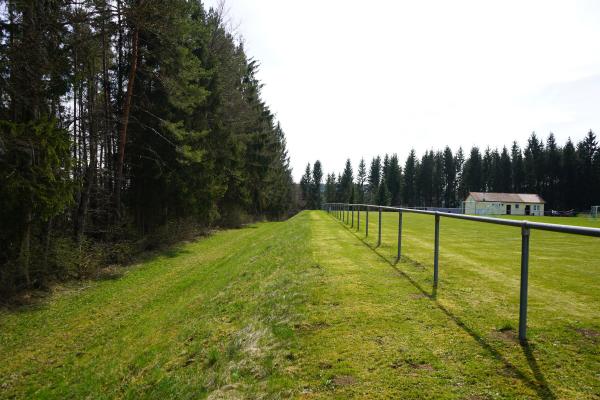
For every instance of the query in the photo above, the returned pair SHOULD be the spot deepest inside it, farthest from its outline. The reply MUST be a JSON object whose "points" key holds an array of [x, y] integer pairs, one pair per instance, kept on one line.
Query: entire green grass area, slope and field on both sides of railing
{"points": [[310, 308]]}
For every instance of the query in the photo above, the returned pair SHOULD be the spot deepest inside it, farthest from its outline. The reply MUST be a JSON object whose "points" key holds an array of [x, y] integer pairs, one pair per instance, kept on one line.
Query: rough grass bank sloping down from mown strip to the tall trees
{"points": [[209, 317]]}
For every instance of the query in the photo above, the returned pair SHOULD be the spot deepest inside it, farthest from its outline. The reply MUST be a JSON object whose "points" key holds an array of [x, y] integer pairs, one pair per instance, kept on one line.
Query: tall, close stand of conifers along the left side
{"points": [[120, 119]]}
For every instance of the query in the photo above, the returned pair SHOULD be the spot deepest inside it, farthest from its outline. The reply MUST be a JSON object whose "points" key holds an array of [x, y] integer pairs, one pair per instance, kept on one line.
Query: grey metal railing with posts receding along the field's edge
{"points": [[345, 212]]}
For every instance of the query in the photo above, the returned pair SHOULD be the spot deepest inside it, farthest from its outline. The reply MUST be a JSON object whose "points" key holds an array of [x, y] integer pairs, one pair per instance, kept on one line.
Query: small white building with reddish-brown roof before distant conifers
{"points": [[480, 203]]}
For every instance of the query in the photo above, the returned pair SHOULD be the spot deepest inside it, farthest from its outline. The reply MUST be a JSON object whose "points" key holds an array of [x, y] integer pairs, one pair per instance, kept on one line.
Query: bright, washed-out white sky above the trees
{"points": [[356, 78]]}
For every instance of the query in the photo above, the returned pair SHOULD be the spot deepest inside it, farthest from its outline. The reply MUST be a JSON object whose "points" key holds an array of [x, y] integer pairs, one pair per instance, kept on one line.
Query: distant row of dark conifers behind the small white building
{"points": [[566, 177]]}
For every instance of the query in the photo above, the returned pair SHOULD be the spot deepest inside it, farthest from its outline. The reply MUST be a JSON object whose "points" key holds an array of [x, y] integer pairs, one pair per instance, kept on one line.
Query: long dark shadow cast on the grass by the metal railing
{"points": [[538, 384]]}
